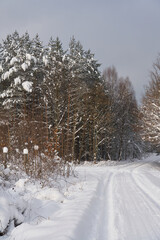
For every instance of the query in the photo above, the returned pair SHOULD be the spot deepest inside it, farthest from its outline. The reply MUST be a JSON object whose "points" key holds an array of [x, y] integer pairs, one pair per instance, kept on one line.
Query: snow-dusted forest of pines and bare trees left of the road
{"points": [[58, 99]]}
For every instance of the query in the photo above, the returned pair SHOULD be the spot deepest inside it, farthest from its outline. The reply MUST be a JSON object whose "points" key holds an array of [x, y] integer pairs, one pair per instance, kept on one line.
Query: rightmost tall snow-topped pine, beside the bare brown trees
{"points": [[81, 70]]}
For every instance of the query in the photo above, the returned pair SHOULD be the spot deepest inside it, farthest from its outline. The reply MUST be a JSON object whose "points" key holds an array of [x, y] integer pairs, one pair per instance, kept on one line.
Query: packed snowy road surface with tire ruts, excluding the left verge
{"points": [[133, 206]]}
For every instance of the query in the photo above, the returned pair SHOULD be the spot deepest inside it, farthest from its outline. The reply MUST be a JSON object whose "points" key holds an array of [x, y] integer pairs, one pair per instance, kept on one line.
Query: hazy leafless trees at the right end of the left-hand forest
{"points": [[125, 121]]}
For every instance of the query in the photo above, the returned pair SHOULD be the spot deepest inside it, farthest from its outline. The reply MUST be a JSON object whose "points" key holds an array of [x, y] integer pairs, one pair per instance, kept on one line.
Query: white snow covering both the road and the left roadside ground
{"points": [[107, 200]]}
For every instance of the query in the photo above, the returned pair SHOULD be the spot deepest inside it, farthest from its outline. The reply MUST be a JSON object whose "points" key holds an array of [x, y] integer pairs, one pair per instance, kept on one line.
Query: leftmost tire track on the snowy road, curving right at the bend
{"points": [[107, 228]]}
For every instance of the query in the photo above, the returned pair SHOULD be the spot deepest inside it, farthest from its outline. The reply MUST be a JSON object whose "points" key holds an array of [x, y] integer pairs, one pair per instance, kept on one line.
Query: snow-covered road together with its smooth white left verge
{"points": [[120, 202]]}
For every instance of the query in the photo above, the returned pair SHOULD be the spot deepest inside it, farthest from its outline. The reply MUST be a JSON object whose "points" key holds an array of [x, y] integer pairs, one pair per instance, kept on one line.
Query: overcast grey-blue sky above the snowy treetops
{"points": [[123, 33]]}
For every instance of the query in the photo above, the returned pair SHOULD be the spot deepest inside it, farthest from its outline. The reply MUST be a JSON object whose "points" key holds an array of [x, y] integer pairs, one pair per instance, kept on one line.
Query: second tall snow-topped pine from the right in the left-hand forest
{"points": [[56, 71]]}
